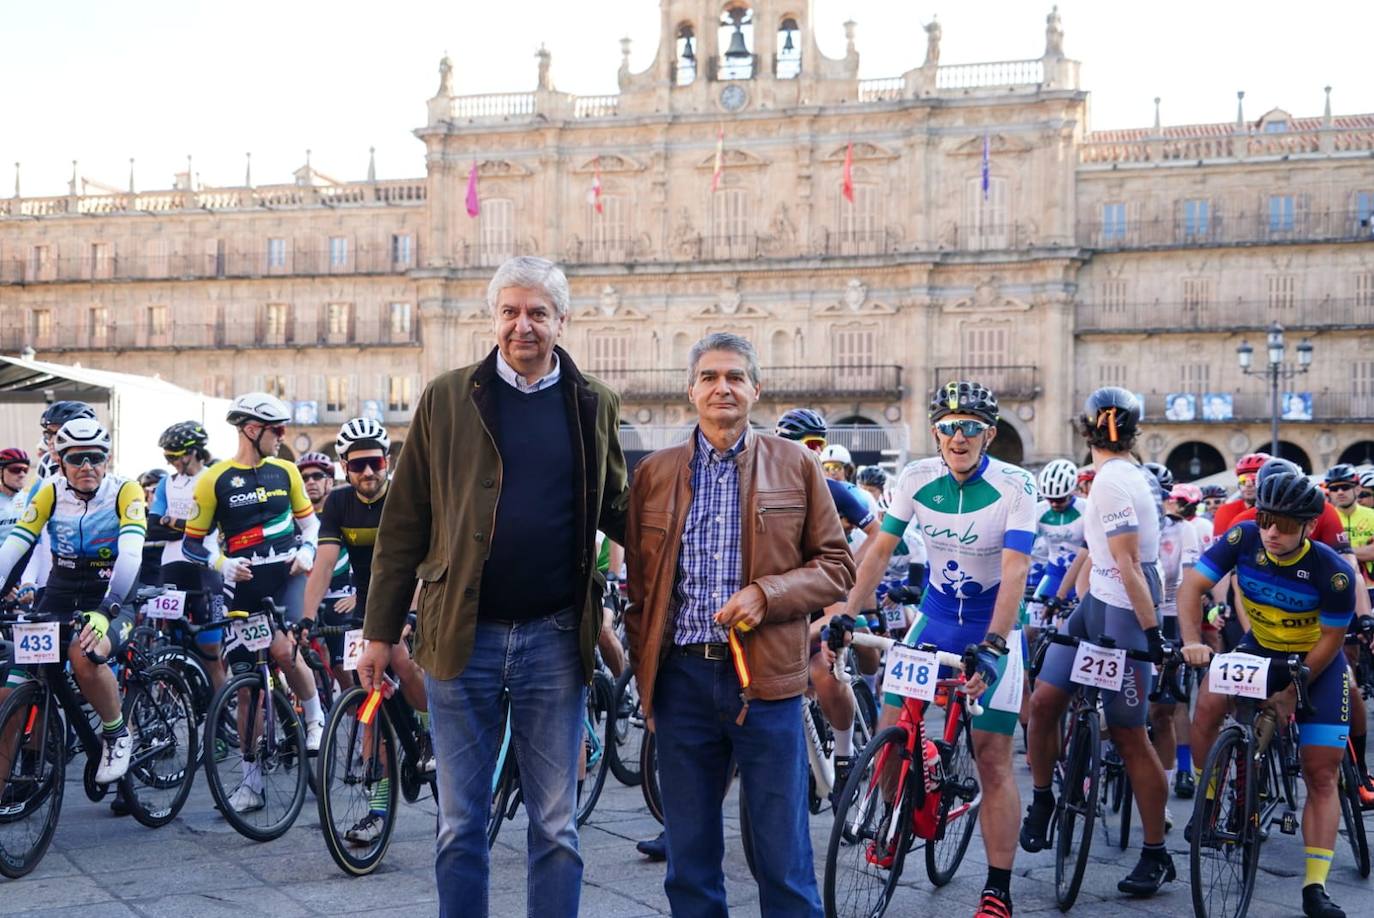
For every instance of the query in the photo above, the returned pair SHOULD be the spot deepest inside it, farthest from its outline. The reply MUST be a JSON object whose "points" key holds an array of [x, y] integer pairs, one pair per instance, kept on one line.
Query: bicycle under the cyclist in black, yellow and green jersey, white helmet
{"points": [[267, 719]]}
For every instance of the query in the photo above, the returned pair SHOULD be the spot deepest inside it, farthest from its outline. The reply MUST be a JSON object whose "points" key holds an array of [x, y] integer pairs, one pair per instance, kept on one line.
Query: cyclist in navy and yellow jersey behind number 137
{"points": [[1299, 596]]}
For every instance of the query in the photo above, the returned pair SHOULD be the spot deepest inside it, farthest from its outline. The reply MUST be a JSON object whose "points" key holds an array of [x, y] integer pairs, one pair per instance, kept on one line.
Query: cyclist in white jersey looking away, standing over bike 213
{"points": [[1123, 535]]}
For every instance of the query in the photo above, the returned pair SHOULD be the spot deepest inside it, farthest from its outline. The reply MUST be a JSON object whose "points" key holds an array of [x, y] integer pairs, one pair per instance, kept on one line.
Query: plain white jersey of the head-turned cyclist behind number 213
{"points": [[1122, 502]]}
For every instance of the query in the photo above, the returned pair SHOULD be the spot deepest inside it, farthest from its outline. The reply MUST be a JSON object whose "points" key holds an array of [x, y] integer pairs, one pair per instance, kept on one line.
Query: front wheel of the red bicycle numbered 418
{"points": [[870, 838]]}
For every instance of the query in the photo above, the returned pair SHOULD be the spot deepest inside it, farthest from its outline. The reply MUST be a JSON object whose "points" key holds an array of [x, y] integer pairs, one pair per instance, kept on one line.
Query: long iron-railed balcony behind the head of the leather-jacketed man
{"points": [[778, 383]]}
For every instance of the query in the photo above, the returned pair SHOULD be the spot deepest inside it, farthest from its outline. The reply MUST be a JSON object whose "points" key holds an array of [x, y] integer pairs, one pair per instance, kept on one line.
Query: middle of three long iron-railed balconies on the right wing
{"points": [[1241, 315]]}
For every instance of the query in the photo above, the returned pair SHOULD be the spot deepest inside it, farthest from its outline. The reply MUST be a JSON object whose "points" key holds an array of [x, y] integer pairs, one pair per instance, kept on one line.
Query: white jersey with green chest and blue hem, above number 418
{"points": [[967, 526]]}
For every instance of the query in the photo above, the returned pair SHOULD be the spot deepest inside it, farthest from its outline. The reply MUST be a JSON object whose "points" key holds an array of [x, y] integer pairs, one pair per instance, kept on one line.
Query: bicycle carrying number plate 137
{"points": [[1248, 784]]}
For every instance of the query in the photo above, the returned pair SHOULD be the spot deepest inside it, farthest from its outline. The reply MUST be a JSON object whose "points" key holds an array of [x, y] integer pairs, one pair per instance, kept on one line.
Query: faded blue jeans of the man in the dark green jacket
{"points": [[538, 663]]}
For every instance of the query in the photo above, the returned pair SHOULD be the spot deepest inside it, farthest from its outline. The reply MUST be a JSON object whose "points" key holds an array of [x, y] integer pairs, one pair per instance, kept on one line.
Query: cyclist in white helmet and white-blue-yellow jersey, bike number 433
{"points": [[95, 524]]}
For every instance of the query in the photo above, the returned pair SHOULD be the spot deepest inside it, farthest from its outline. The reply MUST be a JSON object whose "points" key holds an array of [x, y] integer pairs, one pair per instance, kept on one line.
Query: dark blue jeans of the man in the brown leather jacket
{"points": [[696, 704]]}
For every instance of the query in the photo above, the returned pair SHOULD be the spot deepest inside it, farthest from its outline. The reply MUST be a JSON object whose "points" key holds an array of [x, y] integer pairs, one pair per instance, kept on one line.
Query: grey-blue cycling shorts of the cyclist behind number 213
{"points": [[1092, 620]]}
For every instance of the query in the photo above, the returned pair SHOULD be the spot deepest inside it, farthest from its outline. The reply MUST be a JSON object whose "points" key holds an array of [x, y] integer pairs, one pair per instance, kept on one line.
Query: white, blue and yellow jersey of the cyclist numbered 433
{"points": [[97, 542]]}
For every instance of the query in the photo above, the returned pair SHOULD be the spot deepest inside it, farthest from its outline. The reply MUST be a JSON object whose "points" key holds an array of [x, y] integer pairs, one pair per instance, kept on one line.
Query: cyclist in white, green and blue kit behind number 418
{"points": [[978, 515]]}
